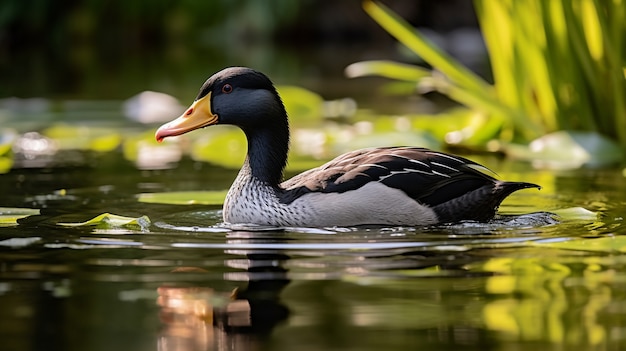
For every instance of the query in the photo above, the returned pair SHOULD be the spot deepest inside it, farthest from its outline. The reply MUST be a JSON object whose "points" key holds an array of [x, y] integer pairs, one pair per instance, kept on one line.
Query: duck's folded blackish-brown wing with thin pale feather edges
{"points": [[427, 176]]}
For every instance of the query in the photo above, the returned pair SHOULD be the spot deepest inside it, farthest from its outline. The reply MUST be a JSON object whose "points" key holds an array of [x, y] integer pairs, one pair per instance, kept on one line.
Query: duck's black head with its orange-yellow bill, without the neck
{"points": [[237, 95]]}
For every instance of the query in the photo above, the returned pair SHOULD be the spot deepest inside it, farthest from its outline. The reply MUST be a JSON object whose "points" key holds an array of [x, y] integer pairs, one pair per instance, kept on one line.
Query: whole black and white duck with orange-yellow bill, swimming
{"points": [[379, 186]]}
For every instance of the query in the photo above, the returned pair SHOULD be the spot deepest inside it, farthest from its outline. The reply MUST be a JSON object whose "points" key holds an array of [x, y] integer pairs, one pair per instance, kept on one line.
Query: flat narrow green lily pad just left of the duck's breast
{"points": [[185, 197]]}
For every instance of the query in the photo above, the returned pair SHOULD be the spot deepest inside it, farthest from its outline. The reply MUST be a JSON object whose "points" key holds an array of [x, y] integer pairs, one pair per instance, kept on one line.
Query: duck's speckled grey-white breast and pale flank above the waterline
{"points": [[250, 201]]}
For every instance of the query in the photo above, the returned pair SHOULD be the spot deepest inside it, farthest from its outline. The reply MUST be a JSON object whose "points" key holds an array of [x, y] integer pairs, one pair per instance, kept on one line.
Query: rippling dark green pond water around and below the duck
{"points": [[181, 282]]}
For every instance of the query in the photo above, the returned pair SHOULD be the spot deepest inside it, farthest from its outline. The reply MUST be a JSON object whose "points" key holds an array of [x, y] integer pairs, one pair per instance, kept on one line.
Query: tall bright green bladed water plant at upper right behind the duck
{"points": [[557, 66]]}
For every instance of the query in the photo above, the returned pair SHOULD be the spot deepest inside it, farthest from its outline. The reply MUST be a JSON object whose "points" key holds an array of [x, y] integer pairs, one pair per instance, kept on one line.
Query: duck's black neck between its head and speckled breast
{"points": [[267, 153]]}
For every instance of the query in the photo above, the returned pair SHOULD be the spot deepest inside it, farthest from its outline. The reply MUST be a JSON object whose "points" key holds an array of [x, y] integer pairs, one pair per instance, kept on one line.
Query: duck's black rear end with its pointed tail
{"points": [[480, 204]]}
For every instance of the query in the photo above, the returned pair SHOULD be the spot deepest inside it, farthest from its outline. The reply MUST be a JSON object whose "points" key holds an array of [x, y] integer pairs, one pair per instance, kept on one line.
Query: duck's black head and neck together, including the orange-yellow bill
{"points": [[245, 98]]}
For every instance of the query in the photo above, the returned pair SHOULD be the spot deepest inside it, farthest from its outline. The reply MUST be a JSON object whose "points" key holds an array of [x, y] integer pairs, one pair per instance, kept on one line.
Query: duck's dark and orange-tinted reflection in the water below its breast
{"points": [[204, 318]]}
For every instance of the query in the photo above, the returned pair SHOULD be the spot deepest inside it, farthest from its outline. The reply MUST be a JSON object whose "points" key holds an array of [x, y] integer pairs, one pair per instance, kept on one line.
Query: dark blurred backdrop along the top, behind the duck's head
{"points": [[96, 49]]}
